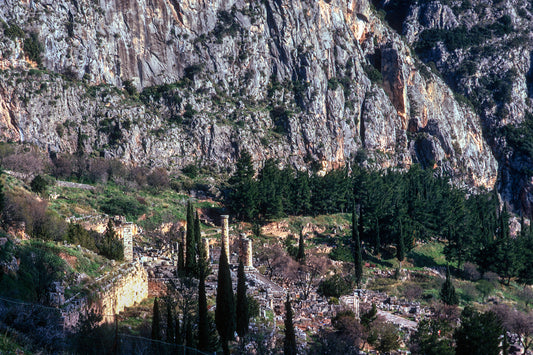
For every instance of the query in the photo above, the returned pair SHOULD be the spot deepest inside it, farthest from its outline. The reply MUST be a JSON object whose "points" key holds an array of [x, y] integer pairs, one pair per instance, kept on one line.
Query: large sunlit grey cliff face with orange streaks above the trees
{"points": [[305, 82]]}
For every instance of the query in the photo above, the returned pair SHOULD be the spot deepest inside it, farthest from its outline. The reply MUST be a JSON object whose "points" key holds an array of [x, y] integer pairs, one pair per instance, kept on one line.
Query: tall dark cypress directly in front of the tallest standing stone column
{"points": [[225, 310]]}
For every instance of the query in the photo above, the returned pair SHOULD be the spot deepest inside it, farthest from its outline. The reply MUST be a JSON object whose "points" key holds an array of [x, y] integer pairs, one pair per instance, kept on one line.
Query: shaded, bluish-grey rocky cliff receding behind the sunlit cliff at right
{"points": [[483, 50]]}
